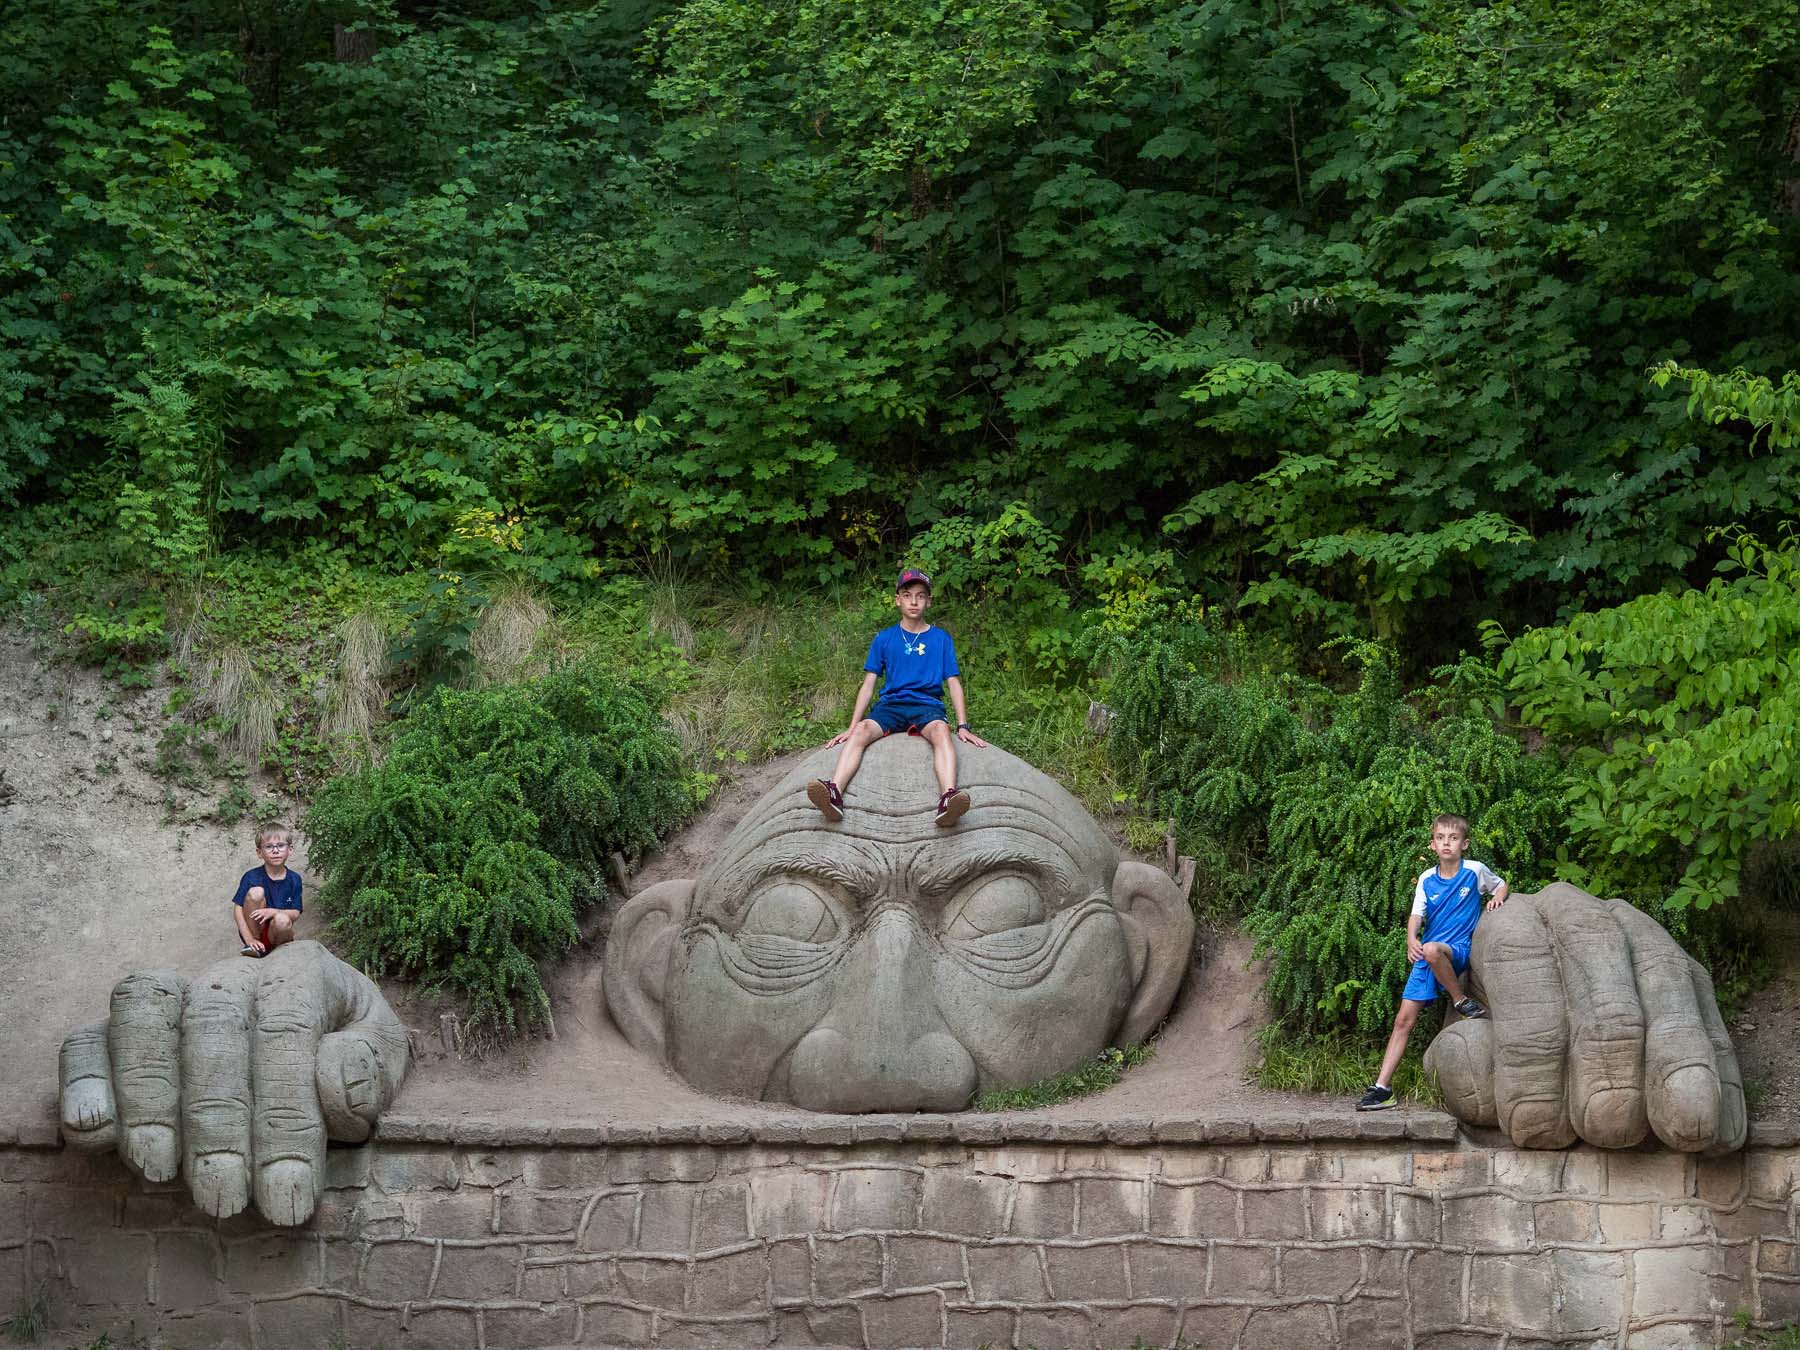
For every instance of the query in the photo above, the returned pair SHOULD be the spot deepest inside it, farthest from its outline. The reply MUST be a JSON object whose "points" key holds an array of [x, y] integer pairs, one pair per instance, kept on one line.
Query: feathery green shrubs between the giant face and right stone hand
{"points": [[1315, 807]]}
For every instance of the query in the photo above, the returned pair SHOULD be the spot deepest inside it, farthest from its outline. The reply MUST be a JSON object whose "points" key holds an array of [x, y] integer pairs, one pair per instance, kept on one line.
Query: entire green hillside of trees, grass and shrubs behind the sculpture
{"points": [[505, 418]]}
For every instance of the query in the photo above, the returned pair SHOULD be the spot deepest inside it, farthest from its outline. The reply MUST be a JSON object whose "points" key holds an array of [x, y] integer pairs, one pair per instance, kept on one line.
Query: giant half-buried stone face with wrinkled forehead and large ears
{"points": [[885, 964]]}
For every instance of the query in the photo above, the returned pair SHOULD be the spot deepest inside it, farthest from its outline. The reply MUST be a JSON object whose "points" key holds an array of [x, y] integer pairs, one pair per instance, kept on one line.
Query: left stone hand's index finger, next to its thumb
{"points": [[287, 1128]]}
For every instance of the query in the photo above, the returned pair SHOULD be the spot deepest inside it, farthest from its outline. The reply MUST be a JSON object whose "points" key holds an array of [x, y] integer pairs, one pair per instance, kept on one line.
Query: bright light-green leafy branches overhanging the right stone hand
{"points": [[1682, 710]]}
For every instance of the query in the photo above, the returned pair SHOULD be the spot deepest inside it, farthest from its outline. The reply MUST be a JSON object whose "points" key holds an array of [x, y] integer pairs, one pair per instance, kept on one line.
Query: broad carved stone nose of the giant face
{"points": [[885, 1047]]}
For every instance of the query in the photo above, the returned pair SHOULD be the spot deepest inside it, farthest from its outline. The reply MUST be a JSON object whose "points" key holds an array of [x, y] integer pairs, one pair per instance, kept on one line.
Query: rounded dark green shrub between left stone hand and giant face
{"points": [[463, 859]]}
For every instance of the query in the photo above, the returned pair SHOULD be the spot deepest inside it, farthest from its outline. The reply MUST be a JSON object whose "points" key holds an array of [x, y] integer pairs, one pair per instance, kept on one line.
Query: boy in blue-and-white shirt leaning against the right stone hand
{"points": [[1446, 904]]}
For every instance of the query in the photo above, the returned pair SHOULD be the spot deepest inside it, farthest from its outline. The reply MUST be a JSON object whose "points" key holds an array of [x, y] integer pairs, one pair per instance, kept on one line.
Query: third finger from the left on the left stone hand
{"points": [[217, 1086]]}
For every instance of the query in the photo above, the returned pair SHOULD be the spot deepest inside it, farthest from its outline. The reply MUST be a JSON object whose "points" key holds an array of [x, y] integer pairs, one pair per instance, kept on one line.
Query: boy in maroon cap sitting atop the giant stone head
{"points": [[915, 663]]}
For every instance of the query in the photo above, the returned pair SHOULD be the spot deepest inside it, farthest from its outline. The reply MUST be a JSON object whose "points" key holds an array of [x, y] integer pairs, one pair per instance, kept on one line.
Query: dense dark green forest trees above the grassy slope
{"points": [[1347, 307]]}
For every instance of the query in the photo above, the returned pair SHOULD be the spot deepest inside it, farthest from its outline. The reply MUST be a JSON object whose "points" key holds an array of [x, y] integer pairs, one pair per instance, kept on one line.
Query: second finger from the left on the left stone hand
{"points": [[145, 1039]]}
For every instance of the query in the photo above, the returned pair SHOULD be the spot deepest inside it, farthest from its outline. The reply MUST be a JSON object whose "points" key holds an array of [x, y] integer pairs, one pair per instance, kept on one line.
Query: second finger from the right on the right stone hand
{"points": [[1680, 1072]]}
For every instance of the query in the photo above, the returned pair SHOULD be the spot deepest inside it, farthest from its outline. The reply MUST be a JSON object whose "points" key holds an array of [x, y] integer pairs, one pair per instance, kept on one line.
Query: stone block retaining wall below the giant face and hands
{"points": [[894, 1241]]}
